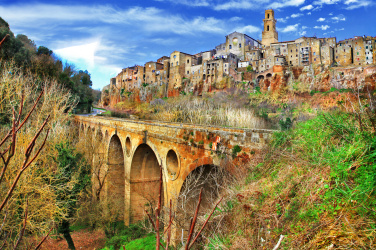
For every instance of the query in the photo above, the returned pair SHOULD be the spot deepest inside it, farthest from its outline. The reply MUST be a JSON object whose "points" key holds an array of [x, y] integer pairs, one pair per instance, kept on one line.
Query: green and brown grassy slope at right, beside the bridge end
{"points": [[316, 186]]}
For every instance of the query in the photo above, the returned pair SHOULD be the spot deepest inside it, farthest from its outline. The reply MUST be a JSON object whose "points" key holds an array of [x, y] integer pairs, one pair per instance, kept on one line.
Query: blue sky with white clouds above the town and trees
{"points": [[106, 36]]}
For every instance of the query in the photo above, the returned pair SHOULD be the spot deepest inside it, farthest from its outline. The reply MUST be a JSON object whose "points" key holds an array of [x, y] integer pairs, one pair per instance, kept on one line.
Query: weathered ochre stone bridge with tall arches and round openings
{"points": [[133, 151]]}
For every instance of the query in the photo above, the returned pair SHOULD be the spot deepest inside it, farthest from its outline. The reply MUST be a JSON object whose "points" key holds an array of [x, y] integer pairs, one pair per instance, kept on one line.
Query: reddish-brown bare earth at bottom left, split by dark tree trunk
{"points": [[83, 239]]}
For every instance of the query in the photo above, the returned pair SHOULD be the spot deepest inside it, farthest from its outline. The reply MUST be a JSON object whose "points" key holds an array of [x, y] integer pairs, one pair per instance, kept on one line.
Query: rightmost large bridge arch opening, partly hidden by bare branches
{"points": [[212, 180]]}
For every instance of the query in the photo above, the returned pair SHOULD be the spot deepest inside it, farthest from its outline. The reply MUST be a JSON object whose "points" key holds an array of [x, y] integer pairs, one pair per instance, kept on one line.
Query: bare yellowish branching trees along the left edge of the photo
{"points": [[32, 195]]}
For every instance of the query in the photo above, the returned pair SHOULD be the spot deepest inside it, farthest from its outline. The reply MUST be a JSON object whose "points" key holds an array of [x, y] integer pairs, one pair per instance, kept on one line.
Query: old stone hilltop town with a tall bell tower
{"points": [[243, 59]]}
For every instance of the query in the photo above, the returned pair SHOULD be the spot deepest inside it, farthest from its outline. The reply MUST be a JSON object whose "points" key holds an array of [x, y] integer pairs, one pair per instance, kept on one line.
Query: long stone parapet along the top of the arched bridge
{"points": [[183, 133]]}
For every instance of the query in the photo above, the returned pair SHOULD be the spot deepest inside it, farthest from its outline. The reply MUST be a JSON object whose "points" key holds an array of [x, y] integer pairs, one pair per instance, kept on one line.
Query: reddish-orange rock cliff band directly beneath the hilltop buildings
{"points": [[300, 79]]}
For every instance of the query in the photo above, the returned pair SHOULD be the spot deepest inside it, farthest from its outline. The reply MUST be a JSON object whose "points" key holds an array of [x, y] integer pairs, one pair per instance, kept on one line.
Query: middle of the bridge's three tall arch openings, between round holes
{"points": [[144, 182]]}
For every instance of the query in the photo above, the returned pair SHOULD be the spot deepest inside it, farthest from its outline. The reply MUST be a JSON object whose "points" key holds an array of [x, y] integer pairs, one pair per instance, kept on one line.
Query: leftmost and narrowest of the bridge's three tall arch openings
{"points": [[116, 177]]}
